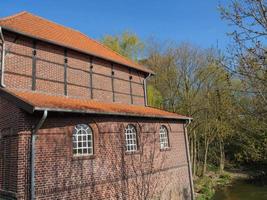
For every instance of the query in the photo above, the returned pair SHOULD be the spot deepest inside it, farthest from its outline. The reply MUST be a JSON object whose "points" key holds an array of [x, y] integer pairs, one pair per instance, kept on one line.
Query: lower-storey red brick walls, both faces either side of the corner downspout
{"points": [[109, 174]]}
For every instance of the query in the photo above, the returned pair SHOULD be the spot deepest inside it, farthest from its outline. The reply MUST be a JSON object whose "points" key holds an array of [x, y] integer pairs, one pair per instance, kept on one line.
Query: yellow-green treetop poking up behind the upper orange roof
{"points": [[127, 44]]}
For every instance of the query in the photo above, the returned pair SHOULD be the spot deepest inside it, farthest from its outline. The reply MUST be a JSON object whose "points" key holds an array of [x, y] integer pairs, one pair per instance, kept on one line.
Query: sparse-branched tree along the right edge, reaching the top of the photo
{"points": [[247, 62]]}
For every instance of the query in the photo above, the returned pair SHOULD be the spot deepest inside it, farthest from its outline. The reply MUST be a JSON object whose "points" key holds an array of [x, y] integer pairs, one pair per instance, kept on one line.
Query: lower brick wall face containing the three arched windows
{"points": [[109, 174]]}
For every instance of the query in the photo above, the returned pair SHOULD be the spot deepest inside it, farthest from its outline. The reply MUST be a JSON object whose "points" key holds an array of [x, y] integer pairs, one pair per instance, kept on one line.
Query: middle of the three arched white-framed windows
{"points": [[131, 138]]}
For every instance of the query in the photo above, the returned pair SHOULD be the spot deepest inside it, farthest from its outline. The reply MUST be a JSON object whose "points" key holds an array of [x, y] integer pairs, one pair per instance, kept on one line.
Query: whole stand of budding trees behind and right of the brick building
{"points": [[225, 97]]}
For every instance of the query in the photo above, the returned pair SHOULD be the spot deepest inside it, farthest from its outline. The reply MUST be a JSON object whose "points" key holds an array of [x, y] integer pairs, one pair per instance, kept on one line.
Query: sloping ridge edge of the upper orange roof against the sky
{"points": [[72, 29]]}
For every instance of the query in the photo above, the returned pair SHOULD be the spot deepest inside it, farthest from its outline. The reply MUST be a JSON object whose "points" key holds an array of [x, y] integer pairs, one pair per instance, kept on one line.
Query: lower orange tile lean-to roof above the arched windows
{"points": [[39, 101]]}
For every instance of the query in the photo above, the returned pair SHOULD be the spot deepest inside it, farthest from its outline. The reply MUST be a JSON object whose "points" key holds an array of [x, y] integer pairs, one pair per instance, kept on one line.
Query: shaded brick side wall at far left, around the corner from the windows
{"points": [[12, 121]]}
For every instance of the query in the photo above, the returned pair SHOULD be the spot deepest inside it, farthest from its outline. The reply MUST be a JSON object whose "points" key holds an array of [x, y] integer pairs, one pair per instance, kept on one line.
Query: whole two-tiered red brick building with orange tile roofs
{"points": [[74, 123]]}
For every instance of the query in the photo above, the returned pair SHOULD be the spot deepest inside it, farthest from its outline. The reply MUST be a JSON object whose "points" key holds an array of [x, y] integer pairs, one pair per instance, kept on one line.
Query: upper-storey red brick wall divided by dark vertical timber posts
{"points": [[50, 72]]}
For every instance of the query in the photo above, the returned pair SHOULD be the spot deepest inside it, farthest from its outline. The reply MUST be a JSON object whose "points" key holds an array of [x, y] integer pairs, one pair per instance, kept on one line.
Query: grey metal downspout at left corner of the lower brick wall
{"points": [[33, 139]]}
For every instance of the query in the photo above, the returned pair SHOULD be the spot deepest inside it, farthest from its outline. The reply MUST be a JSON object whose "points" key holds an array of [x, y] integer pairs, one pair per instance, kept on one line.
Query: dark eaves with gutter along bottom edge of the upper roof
{"points": [[76, 49]]}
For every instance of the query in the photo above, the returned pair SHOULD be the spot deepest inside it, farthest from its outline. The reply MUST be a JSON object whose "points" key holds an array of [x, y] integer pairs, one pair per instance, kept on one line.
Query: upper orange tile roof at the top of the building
{"points": [[40, 28]]}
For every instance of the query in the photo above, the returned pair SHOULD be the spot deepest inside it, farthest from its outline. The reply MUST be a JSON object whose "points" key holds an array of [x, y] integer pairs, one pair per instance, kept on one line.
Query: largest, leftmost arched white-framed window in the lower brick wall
{"points": [[82, 140]]}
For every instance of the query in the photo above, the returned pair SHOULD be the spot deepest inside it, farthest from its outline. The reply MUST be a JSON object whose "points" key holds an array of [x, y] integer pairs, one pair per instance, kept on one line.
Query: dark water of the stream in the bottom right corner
{"points": [[242, 190]]}
